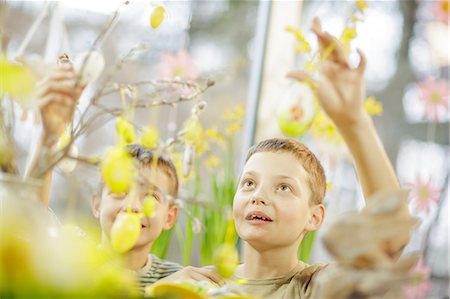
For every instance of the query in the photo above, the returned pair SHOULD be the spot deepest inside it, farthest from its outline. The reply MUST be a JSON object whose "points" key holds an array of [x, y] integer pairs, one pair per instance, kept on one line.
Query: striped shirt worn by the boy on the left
{"points": [[154, 270]]}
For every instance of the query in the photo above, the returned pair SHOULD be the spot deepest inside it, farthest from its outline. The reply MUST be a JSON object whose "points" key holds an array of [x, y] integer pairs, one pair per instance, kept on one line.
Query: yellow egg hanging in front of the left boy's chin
{"points": [[125, 231]]}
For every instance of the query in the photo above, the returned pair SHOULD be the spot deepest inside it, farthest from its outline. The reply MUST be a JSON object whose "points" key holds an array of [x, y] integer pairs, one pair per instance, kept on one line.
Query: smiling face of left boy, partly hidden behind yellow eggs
{"points": [[157, 183]]}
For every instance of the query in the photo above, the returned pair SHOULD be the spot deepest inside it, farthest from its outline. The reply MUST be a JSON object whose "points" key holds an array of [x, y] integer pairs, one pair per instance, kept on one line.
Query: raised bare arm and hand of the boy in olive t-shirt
{"points": [[341, 92]]}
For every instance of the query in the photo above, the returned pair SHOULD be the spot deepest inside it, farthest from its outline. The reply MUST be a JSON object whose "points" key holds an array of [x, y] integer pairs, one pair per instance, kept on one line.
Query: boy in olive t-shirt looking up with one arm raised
{"points": [[279, 196]]}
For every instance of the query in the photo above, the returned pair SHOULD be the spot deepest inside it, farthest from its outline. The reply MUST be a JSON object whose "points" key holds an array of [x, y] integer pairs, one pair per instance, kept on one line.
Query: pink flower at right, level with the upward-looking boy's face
{"points": [[424, 195]]}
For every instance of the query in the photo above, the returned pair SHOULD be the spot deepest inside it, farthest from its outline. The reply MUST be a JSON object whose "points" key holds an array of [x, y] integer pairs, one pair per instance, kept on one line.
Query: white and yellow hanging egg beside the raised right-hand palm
{"points": [[297, 110]]}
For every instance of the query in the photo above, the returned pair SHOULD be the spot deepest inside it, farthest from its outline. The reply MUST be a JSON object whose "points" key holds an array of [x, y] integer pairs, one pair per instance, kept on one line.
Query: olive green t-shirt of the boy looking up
{"points": [[294, 285]]}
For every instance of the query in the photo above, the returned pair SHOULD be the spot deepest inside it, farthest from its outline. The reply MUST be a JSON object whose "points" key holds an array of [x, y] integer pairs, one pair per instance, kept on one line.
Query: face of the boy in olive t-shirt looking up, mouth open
{"points": [[271, 206]]}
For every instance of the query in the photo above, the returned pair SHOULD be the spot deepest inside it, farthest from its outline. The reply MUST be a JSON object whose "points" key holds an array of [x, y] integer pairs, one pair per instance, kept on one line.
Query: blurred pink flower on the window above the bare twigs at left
{"points": [[179, 65]]}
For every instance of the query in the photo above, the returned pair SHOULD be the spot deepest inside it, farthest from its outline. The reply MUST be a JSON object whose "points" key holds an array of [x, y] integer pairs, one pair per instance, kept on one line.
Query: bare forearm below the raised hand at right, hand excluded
{"points": [[373, 167]]}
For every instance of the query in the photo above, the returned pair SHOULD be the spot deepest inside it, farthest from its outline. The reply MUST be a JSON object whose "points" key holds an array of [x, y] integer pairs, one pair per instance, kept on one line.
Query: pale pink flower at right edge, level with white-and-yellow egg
{"points": [[434, 95]]}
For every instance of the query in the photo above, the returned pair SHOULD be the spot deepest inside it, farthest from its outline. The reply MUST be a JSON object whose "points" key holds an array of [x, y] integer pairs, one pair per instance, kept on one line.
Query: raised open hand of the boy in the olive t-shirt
{"points": [[340, 88]]}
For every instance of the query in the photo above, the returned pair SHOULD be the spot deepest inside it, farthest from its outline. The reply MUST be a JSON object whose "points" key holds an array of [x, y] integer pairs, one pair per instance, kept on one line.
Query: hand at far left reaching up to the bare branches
{"points": [[57, 97]]}
